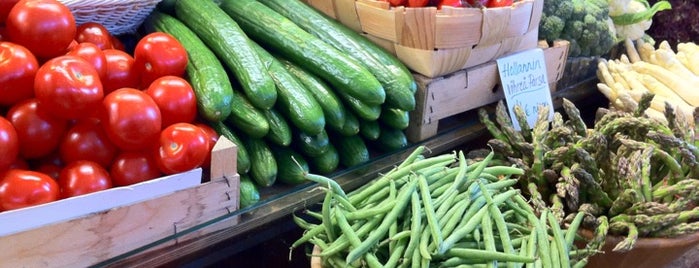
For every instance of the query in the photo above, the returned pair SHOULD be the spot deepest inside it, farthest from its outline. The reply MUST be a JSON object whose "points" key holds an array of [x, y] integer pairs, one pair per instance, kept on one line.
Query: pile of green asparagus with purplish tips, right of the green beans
{"points": [[631, 173]]}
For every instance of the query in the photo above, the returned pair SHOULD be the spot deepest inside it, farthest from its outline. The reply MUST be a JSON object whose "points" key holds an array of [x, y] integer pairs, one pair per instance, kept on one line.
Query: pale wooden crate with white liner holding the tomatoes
{"points": [[105, 234]]}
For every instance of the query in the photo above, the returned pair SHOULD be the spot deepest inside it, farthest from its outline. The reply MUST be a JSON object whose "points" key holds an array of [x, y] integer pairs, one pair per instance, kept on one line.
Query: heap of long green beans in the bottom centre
{"points": [[437, 212]]}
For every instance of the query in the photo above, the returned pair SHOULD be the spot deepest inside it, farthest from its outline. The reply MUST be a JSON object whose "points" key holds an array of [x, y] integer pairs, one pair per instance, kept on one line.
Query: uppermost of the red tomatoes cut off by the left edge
{"points": [[18, 67]]}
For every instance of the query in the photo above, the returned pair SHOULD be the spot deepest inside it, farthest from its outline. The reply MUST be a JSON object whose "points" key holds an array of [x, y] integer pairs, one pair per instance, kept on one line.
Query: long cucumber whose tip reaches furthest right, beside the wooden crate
{"points": [[395, 78]]}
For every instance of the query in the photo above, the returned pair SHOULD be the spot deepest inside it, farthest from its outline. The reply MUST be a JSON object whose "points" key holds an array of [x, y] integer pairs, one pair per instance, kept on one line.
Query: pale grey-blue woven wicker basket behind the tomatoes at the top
{"points": [[118, 16]]}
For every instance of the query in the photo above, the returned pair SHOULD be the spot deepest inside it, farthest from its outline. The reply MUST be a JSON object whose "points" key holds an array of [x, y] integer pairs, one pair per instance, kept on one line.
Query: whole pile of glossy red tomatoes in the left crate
{"points": [[78, 114]]}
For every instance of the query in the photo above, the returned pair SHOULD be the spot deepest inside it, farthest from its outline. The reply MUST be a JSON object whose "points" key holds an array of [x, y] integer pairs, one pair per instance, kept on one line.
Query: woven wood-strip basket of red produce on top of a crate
{"points": [[437, 42]]}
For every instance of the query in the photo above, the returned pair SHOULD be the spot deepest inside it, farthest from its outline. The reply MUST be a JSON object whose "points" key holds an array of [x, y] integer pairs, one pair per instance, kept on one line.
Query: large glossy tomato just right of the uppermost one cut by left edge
{"points": [[69, 87]]}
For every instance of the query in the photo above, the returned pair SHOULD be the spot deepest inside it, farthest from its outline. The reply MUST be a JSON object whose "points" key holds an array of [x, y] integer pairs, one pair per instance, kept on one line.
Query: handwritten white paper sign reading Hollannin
{"points": [[524, 80]]}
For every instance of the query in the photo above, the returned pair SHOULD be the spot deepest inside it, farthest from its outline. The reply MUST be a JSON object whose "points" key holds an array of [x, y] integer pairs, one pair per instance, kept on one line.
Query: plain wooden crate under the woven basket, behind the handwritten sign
{"points": [[468, 89]]}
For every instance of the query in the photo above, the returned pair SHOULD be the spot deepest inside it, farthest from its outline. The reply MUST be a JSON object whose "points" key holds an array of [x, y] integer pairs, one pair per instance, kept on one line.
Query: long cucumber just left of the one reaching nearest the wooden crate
{"points": [[275, 31]]}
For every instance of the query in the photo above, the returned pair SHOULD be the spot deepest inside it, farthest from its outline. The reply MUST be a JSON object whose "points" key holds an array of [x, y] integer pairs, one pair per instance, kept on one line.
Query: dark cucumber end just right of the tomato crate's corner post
{"points": [[263, 168]]}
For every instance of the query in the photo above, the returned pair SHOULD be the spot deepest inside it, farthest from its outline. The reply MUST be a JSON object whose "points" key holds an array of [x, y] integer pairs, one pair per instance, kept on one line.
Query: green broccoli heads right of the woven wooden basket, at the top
{"points": [[583, 22]]}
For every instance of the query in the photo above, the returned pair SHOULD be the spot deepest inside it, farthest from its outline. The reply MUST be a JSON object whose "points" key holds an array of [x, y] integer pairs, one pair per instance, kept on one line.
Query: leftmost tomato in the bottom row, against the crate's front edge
{"points": [[24, 188]]}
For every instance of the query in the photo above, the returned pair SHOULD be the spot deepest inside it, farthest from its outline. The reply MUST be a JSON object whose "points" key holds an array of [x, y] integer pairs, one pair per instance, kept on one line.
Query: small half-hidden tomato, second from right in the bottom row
{"points": [[133, 167]]}
